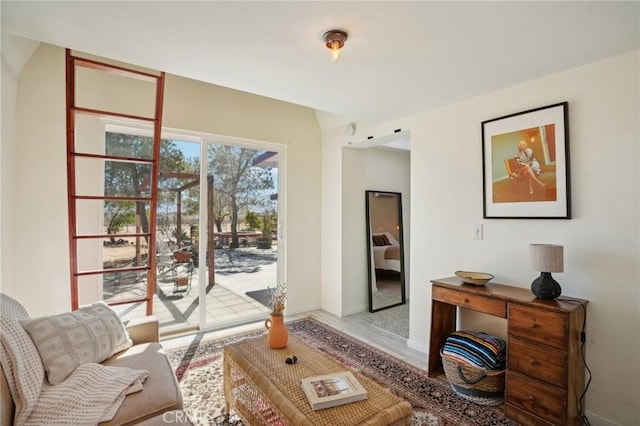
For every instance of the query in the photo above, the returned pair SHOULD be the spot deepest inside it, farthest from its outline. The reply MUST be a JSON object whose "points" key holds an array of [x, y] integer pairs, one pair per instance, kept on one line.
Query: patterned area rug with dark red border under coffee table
{"points": [[198, 368]]}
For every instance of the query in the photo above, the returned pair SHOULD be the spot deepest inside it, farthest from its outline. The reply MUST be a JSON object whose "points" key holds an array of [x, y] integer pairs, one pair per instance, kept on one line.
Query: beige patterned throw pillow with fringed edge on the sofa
{"points": [[65, 341]]}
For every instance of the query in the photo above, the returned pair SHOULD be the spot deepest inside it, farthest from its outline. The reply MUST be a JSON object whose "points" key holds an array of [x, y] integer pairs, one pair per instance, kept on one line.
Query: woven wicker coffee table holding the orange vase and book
{"points": [[264, 390]]}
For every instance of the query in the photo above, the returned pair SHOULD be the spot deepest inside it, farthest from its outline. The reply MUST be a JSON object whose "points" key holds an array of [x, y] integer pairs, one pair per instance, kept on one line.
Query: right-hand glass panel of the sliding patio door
{"points": [[241, 261]]}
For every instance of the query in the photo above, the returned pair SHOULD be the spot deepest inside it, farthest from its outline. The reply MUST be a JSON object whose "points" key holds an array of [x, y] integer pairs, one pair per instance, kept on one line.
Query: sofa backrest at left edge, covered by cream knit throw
{"points": [[20, 360]]}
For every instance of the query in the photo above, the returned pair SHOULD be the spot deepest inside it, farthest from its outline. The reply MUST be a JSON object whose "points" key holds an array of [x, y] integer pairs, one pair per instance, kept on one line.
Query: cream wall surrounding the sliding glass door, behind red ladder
{"points": [[39, 251]]}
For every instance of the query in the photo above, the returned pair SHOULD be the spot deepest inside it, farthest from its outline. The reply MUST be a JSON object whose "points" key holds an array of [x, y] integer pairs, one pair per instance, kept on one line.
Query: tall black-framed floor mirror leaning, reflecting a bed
{"points": [[385, 249]]}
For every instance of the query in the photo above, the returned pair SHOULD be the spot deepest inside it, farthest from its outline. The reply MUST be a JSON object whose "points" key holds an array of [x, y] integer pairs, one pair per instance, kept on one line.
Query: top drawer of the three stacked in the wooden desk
{"points": [[538, 325]]}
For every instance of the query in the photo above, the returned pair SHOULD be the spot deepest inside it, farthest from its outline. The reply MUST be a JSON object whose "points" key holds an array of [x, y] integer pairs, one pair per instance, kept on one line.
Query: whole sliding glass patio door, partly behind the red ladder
{"points": [[217, 246]]}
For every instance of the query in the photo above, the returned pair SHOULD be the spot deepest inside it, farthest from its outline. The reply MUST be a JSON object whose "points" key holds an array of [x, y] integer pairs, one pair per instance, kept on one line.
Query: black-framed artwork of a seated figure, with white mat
{"points": [[526, 165]]}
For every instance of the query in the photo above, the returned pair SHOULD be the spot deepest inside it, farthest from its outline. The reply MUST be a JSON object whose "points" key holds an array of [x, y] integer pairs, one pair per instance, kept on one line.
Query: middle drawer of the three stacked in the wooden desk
{"points": [[537, 361]]}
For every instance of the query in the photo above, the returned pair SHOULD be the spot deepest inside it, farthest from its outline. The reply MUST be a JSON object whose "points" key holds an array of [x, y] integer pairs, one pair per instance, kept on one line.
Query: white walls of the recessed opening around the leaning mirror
{"points": [[368, 169]]}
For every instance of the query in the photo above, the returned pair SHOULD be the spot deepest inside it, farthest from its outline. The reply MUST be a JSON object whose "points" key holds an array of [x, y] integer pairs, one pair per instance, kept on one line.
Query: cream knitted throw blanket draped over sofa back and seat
{"points": [[92, 394]]}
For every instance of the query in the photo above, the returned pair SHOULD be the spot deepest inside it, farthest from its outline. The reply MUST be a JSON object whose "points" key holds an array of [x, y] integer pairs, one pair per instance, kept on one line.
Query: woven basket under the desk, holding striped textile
{"points": [[484, 387]]}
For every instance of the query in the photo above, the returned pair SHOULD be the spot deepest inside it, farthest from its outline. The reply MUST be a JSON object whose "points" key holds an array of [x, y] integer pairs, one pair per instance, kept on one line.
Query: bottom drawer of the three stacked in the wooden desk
{"points": [[544, 401]]}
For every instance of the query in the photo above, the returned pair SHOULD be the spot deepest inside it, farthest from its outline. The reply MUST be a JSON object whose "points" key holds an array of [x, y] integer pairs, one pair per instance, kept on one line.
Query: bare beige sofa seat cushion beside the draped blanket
{"points": [[160, 392]]}
